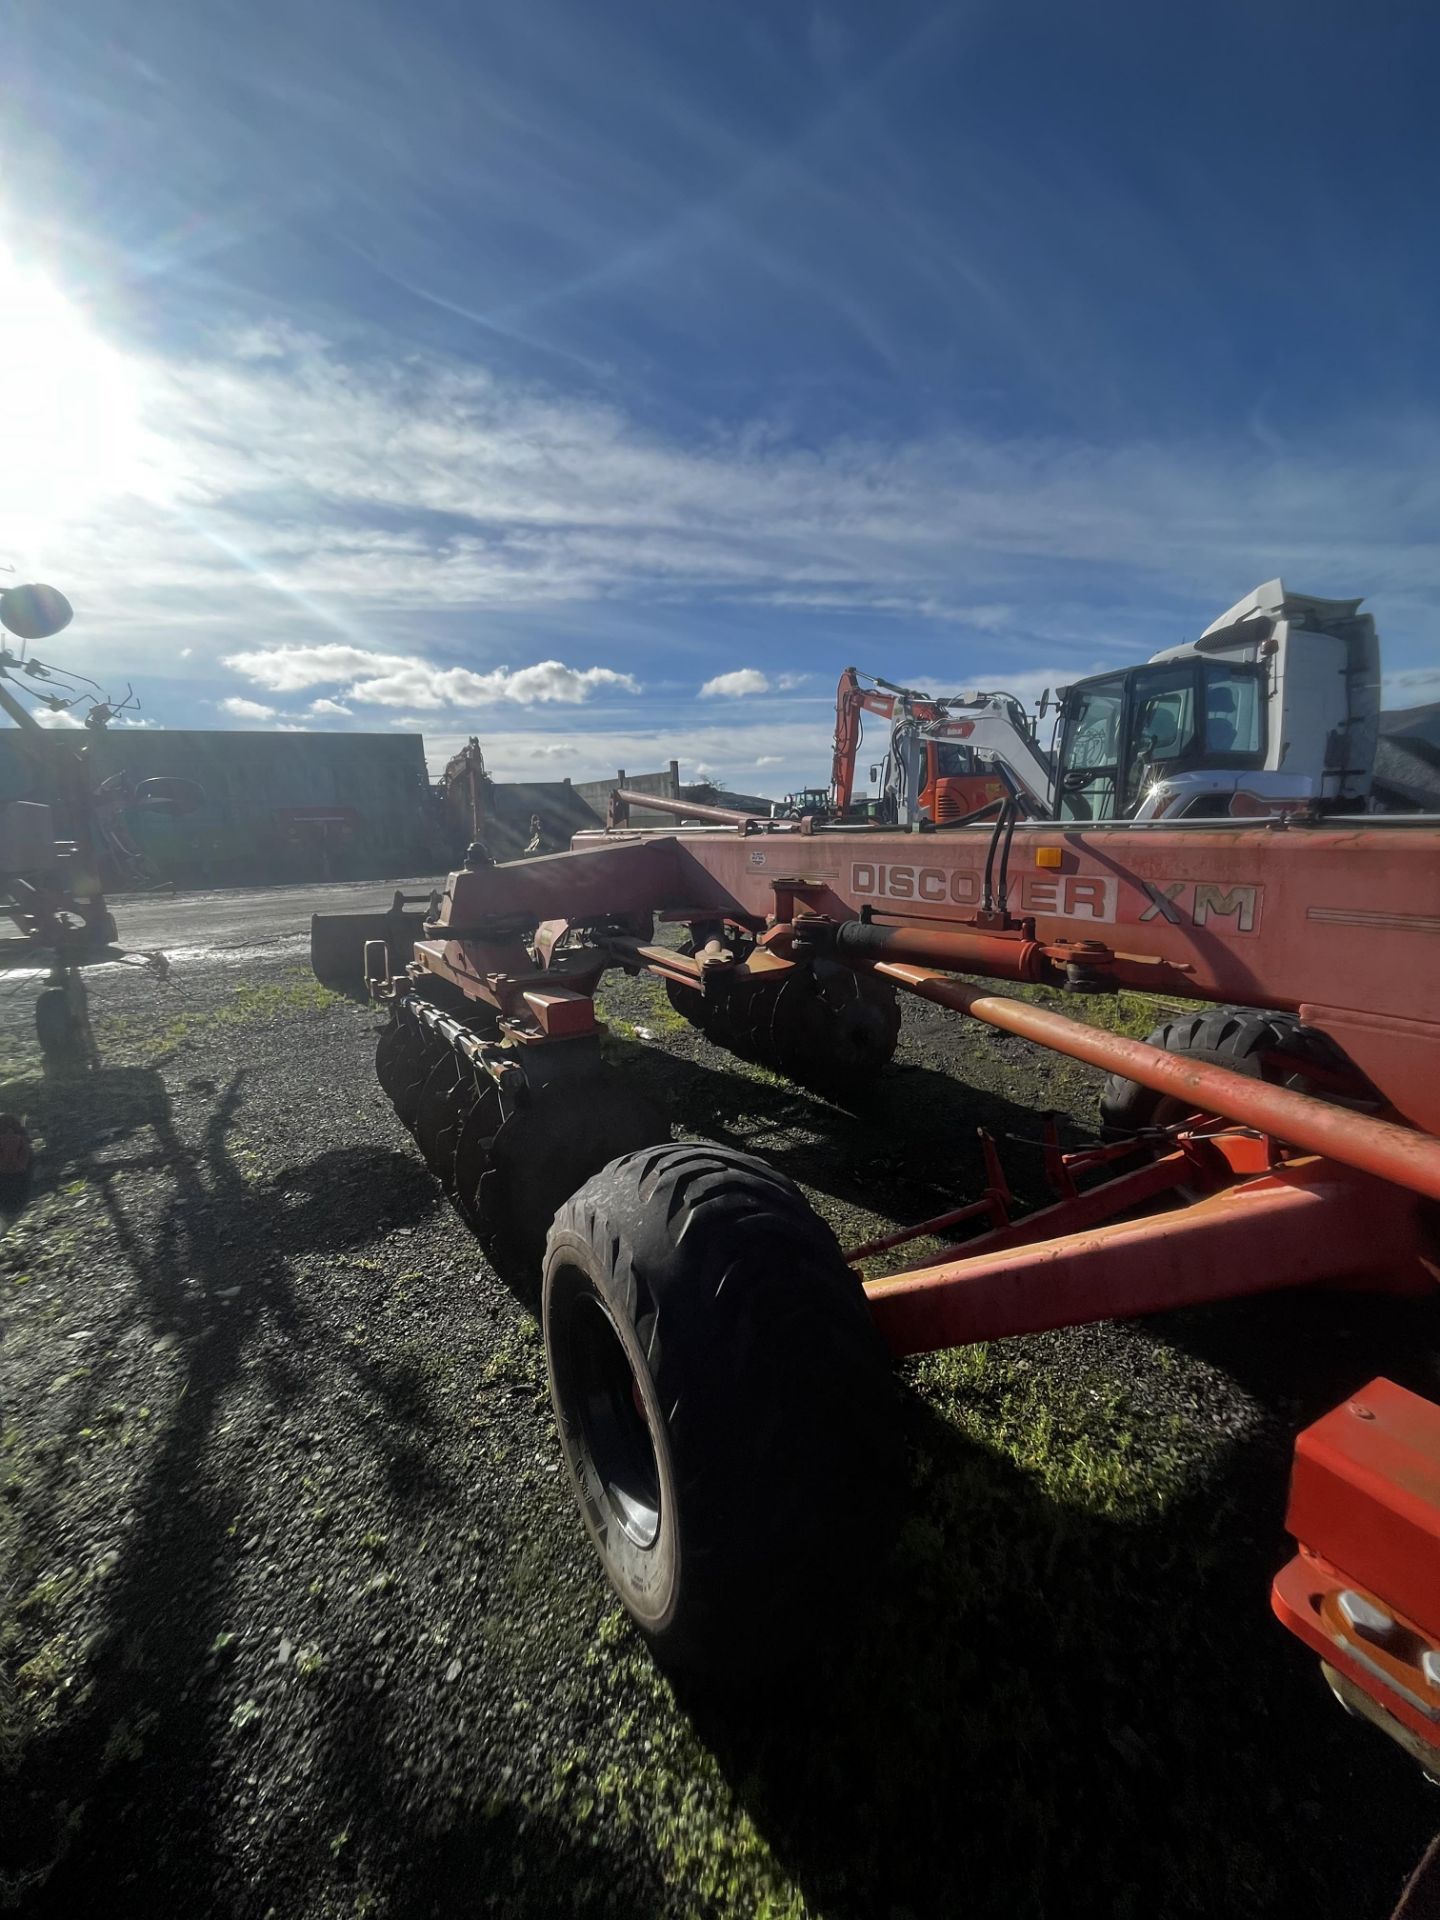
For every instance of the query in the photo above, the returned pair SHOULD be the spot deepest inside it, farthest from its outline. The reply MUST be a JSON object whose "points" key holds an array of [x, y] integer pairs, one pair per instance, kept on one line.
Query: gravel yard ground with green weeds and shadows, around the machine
{"points": [[297, 1616]]}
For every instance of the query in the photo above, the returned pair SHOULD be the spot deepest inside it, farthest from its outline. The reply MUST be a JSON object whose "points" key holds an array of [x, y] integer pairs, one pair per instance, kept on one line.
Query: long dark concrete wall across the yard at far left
{"points": [[279, 807]]}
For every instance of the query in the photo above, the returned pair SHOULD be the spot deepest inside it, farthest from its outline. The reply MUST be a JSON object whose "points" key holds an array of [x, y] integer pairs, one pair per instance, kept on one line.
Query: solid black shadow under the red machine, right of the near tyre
{"points": [[1059, 1714]]}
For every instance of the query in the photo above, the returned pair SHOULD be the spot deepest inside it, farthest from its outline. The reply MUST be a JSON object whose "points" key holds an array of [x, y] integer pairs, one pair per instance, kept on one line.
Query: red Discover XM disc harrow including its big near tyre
{"points": [[719, 1366]]}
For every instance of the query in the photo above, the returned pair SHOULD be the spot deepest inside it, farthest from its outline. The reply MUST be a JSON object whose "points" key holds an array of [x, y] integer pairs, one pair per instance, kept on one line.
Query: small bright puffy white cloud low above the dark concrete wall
{"points": [[408, 681]]}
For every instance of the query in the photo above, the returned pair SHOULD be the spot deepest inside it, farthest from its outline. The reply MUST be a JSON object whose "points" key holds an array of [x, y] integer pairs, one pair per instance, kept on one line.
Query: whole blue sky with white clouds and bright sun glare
{"points": [[527, 370]]}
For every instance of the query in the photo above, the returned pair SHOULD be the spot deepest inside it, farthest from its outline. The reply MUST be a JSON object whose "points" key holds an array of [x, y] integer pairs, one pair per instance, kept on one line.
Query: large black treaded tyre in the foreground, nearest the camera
{"points": [[725, 1403]]}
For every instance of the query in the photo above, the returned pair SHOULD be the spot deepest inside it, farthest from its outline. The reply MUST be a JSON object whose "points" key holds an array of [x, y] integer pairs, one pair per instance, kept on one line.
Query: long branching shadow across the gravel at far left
{"points": [[201, 1278]]}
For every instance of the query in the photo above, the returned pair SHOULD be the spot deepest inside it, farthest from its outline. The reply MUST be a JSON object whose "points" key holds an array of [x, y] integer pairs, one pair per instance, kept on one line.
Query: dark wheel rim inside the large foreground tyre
{"points": [[610, 1408]]}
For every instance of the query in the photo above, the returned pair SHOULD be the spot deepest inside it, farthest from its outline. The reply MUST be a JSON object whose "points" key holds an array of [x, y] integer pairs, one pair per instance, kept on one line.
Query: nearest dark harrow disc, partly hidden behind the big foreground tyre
{"points": [[550, 1149]]}
